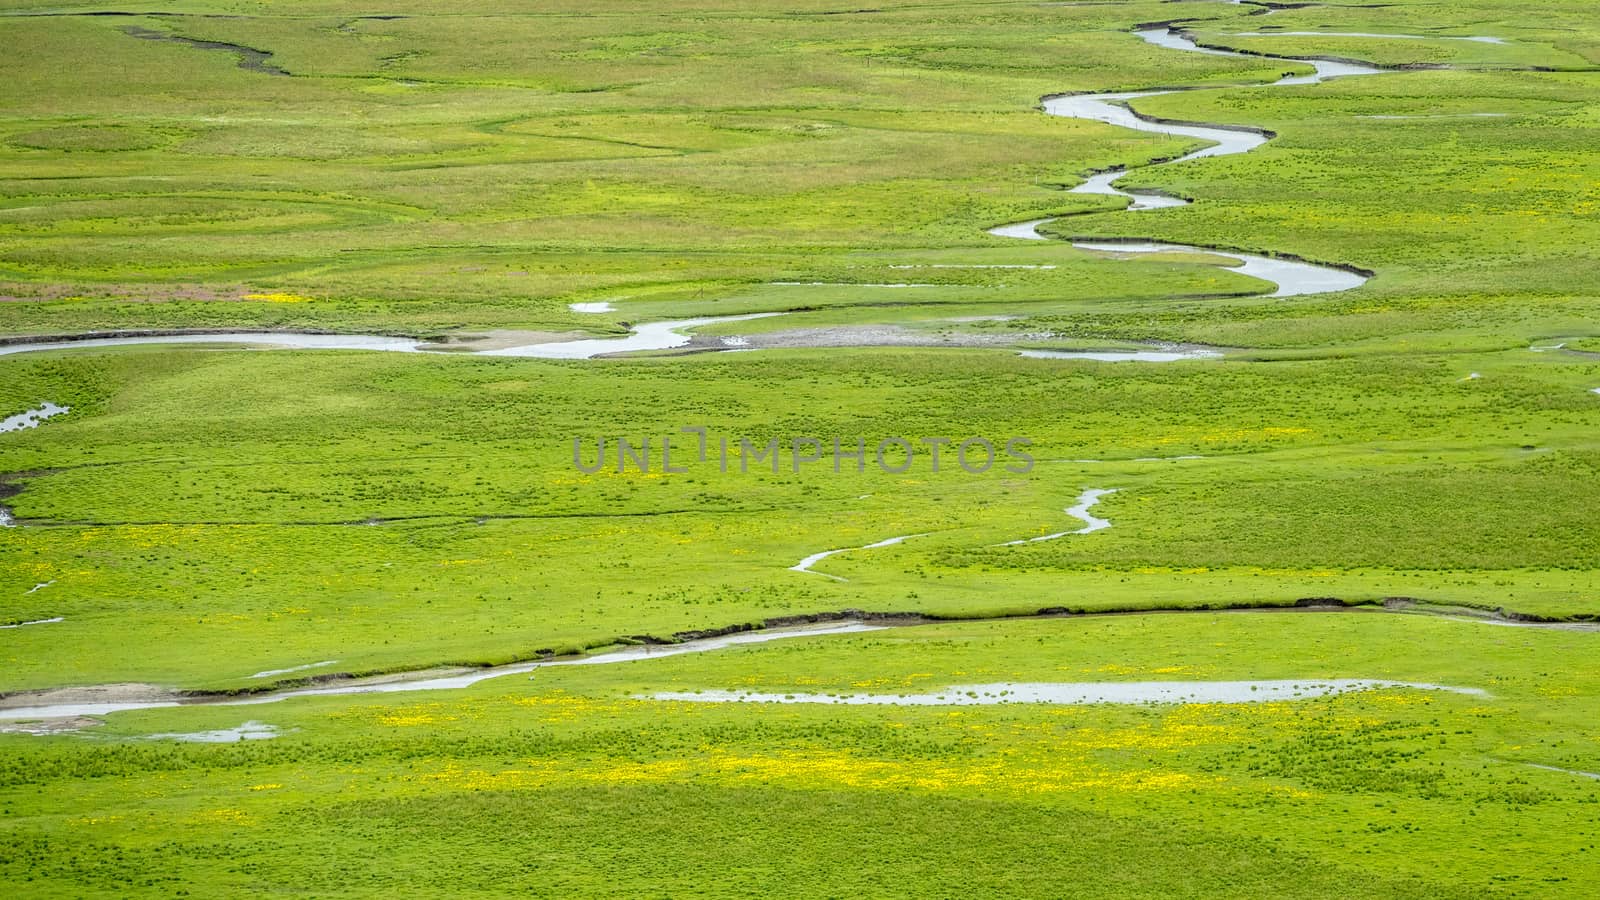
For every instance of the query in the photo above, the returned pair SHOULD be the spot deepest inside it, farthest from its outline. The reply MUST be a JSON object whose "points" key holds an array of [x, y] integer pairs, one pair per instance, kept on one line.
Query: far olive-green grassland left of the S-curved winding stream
{"points": [[423, 167]]}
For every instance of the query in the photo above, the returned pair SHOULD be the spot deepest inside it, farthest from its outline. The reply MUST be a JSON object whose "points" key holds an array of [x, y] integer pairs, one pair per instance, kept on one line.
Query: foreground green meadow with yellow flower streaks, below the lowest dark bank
{"points": [[569, 782]]}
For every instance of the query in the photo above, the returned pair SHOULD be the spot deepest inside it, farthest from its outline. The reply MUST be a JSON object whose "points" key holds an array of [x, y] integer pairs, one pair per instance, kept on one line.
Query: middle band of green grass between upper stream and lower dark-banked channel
{"points": [[263, 510]]}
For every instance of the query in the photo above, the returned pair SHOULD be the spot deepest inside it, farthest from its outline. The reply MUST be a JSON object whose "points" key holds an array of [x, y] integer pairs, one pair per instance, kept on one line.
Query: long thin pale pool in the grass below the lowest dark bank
{"points": [[1076, 694]]}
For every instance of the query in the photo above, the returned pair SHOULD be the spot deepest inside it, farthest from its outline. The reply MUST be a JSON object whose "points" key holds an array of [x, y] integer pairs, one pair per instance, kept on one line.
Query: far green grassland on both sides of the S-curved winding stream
{"points": [[434, 179]]}
